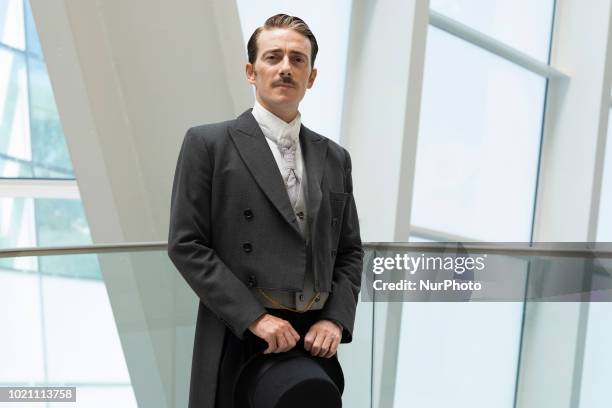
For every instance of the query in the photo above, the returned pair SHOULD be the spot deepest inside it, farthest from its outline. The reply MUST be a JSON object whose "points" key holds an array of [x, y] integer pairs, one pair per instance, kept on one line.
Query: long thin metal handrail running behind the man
{"points": [[564, 249]]}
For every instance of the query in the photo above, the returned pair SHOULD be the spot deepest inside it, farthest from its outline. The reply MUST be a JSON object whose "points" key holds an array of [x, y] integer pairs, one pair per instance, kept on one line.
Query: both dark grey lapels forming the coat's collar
{"points": [[255, 152]]}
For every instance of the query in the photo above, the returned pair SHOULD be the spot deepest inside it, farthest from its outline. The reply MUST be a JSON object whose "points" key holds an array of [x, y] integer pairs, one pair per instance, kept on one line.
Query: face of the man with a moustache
{"points": [[281, 73]]}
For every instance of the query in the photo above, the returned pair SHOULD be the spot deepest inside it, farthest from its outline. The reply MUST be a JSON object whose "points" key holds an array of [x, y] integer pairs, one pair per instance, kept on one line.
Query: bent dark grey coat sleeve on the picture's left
{"points": [[189, 240]]}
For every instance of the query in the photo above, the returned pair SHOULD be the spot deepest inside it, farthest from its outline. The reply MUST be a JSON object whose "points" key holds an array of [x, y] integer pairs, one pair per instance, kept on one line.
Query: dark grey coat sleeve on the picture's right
{"points": [[346, 280]]}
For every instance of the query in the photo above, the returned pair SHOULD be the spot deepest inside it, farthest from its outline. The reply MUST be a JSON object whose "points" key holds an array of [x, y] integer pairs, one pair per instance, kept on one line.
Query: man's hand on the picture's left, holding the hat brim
{"points": [[277, 332]]}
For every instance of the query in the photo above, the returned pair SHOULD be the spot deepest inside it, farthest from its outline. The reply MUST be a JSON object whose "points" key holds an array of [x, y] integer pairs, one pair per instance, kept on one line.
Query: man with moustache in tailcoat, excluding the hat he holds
{"points": [[263, 223]]}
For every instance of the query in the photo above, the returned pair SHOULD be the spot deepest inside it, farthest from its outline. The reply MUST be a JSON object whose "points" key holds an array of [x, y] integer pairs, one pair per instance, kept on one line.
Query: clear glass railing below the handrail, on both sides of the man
{"points": [[503, 325]]}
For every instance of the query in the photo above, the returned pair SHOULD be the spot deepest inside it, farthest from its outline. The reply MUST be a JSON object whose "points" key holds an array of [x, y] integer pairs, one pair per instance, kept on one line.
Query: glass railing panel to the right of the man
{"points": [[504, 325]]}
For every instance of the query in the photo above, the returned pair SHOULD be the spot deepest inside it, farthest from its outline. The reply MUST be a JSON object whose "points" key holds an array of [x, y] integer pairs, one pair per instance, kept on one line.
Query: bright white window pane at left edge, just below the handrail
{"points": [[21, 347]]}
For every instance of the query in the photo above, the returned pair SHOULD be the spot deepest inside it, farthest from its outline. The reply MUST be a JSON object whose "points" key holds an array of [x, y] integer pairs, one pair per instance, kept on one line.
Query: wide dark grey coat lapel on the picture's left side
{"points": [[255, 152]]}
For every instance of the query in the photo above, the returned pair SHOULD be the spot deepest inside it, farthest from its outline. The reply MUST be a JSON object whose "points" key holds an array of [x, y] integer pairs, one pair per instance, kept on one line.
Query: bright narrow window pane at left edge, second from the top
{"points": [[14, 114]]}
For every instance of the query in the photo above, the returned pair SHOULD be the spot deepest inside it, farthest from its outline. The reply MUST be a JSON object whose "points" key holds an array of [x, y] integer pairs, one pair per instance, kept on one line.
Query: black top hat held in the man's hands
{"points": [[292, 379]]}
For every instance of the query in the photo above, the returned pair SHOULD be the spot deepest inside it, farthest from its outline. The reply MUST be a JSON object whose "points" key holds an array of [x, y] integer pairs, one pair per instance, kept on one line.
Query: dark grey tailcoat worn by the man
{"points": [[232, 229]]}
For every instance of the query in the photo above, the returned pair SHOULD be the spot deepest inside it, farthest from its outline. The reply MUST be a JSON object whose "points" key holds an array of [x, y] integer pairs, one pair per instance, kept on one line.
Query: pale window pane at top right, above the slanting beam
{"points": [[522, 24]]}
